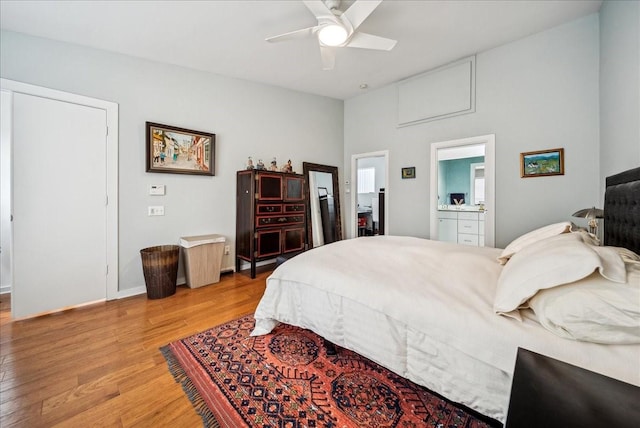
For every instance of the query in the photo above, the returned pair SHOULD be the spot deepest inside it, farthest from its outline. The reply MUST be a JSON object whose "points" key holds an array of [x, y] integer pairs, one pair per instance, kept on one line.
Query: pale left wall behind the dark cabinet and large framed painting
{"points": [[249, 119]]}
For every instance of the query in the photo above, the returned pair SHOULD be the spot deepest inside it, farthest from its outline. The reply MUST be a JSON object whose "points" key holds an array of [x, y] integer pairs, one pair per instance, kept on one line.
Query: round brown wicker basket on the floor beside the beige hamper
{"points": [[160, 267]]}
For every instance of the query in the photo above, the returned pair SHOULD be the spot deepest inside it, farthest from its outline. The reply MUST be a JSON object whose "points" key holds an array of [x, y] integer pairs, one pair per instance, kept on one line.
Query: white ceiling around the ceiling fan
{"points": [[227, 37]]}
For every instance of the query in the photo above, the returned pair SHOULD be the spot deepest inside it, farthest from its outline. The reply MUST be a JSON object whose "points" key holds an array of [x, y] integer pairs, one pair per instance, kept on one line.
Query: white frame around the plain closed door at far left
{"points": [[111, 155]]}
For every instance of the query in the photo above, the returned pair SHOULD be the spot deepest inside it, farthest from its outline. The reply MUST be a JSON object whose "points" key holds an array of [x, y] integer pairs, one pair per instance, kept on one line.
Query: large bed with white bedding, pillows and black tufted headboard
{"points": [[451, 317]]}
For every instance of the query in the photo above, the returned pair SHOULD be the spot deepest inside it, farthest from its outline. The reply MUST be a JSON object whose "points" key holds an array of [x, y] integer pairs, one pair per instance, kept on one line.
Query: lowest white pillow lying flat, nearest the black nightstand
{"points": [[592, 309]]}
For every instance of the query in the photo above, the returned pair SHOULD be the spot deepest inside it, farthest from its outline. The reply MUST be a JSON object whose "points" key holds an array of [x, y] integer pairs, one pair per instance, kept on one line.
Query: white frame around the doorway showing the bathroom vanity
{"points": [[489, 142]]}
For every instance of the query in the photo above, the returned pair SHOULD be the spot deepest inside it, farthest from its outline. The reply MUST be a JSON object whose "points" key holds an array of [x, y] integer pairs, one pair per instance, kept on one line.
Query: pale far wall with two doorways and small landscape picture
{"points": [[540, 92]]}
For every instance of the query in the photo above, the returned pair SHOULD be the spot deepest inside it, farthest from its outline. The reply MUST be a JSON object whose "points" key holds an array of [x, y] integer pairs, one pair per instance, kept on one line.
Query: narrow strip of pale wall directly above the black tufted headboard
{"points": [[619, 87]]}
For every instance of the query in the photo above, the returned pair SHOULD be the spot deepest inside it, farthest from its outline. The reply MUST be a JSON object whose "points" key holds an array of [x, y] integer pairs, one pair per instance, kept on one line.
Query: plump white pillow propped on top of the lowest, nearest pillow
{"points": [[548, 263]]}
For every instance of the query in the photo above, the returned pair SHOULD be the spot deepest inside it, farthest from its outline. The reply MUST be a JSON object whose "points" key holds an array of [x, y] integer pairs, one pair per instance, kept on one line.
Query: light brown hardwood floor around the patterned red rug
{"points": [[99, 365]]}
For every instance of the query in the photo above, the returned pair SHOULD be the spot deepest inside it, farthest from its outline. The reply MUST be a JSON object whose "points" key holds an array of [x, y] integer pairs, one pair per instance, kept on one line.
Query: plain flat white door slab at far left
{"points": [[59, 205]]}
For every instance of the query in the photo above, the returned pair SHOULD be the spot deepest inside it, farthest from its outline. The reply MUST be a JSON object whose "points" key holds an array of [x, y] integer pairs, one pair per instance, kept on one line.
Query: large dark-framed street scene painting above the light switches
{"points": [[179, 151]]}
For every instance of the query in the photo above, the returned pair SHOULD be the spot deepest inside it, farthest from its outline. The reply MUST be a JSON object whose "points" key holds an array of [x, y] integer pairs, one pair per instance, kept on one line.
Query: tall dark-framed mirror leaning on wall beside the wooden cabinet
{"points": [[324, 222]]}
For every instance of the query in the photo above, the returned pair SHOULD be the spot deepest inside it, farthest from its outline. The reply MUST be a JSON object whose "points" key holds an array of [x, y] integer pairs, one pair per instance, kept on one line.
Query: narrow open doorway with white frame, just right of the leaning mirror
{"points": [[370, 194]]}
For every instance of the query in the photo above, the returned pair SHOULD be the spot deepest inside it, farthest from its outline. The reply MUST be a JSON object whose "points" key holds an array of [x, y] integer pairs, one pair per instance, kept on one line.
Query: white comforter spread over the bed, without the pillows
{"points": [[423, 309]]}
